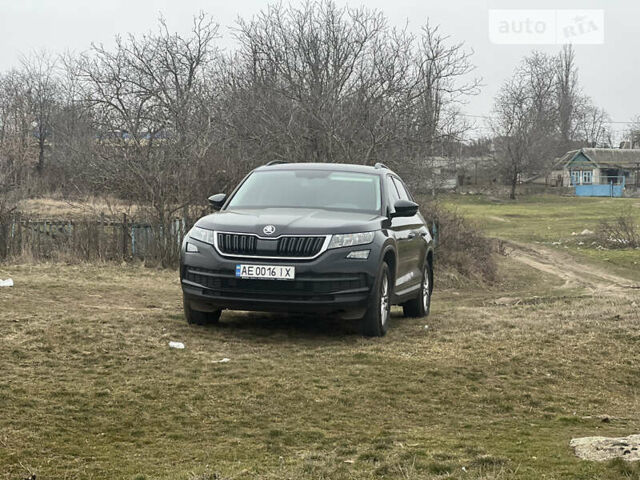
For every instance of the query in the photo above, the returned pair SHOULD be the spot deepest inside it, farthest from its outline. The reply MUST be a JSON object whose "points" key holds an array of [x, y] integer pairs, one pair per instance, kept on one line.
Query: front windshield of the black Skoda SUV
{"points": [[358, 192]]}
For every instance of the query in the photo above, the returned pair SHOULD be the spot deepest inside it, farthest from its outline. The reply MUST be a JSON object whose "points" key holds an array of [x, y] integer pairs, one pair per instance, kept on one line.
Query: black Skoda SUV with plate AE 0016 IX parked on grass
{"points": [[310, 237]]}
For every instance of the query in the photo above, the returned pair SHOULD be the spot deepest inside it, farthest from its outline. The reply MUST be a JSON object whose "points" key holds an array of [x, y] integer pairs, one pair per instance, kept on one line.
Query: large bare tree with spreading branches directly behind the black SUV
{"points": [[323, 83]]}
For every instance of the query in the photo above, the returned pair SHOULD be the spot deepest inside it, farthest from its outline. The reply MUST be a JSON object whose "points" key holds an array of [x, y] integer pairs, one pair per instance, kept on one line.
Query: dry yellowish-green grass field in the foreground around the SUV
{"points": [[493, 385]]}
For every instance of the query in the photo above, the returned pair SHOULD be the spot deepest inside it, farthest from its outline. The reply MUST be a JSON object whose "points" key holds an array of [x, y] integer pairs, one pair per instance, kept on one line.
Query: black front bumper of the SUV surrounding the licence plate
{"points": [[328, 284]]}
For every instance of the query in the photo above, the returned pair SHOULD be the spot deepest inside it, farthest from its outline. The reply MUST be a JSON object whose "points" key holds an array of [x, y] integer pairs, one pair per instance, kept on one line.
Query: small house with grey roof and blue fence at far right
{"points": [[597, 172]]}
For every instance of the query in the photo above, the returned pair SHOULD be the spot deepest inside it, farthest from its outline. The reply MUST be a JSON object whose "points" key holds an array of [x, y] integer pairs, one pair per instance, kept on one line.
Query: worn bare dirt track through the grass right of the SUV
{"points": [[574, 273]]}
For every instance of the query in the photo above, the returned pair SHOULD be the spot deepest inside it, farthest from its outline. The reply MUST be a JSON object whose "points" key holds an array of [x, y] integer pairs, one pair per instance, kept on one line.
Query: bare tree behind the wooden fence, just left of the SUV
{"points": [[149, 103]]}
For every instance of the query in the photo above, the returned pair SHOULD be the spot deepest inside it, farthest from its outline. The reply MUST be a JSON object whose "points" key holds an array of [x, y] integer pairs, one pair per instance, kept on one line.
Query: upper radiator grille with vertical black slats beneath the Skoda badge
{"points": [[252, 245]]}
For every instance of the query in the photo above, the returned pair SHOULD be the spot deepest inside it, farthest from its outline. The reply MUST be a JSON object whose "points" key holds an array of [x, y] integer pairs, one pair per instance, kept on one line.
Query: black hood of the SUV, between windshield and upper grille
{"points": [[290, 221]]}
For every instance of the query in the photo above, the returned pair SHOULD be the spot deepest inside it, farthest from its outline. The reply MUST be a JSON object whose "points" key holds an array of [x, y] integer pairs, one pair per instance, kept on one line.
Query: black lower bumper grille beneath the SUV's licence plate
{"points": [[311, 287]]}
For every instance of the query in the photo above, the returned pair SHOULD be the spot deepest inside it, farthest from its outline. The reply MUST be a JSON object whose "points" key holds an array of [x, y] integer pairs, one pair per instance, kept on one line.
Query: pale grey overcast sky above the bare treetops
{"points": [[609, 72]]}
